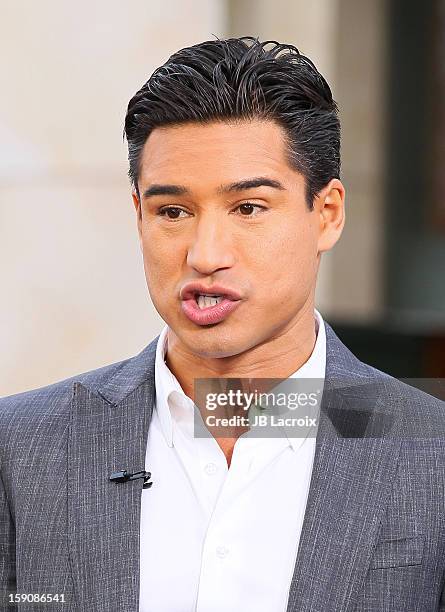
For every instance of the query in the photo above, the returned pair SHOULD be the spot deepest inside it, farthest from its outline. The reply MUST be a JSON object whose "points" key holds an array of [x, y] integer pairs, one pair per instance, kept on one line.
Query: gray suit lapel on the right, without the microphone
{"points": [[354, 464]]}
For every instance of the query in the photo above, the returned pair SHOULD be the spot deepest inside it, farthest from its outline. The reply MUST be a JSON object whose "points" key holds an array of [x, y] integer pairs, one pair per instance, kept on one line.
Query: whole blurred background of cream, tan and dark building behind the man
{"points": [[72, 284]]}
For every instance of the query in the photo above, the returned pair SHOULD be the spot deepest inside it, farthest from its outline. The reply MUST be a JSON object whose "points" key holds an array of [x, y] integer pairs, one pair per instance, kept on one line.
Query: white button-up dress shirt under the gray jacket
{"points": [[214, 538]]}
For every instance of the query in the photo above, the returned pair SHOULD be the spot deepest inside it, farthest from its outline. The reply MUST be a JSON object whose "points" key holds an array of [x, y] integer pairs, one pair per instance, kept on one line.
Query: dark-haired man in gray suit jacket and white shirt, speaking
{"points": [[234, 160]]}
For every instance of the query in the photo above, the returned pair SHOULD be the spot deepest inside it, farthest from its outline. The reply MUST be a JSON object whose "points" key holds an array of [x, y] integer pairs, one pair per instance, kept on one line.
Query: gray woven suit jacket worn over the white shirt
{"points": [[373, 537]]}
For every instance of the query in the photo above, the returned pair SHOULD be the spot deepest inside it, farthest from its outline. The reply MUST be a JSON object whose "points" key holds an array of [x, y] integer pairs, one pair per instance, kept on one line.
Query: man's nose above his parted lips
{"points": [[212, 246]]}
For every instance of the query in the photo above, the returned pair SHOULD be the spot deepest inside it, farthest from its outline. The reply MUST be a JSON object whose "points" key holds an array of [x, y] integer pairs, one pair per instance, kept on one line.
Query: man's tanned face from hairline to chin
{"points": [[261, 242]]}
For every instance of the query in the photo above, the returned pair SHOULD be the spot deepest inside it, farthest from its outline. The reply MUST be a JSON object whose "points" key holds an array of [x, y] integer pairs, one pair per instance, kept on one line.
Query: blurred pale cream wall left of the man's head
{"points": [[72, 283]]}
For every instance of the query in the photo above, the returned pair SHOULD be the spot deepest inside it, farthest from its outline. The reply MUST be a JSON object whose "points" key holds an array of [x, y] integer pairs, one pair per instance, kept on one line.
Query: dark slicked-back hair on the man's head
{"points": [[243, 78]]}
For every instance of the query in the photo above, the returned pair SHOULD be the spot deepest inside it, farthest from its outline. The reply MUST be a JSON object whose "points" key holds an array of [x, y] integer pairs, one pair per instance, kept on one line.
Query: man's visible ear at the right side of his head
{"points": [[330, 205]]}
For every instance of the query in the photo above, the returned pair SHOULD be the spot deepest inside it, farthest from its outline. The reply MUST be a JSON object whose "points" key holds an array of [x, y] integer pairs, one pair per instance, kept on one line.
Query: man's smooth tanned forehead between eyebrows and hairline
{"points": [[214, 152]]}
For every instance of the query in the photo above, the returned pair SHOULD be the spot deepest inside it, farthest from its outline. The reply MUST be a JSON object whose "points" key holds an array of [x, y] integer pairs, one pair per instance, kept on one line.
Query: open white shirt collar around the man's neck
{"points": [[171, 401]]}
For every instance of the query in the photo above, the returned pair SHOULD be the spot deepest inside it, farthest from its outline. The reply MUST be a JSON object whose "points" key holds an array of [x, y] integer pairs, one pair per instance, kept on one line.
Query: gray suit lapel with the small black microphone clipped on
{"points": [[108, 432]]}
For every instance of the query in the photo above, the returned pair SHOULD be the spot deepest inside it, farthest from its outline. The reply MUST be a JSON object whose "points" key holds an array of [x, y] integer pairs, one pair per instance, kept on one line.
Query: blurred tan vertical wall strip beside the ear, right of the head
{"points": [[358, 259]]}
